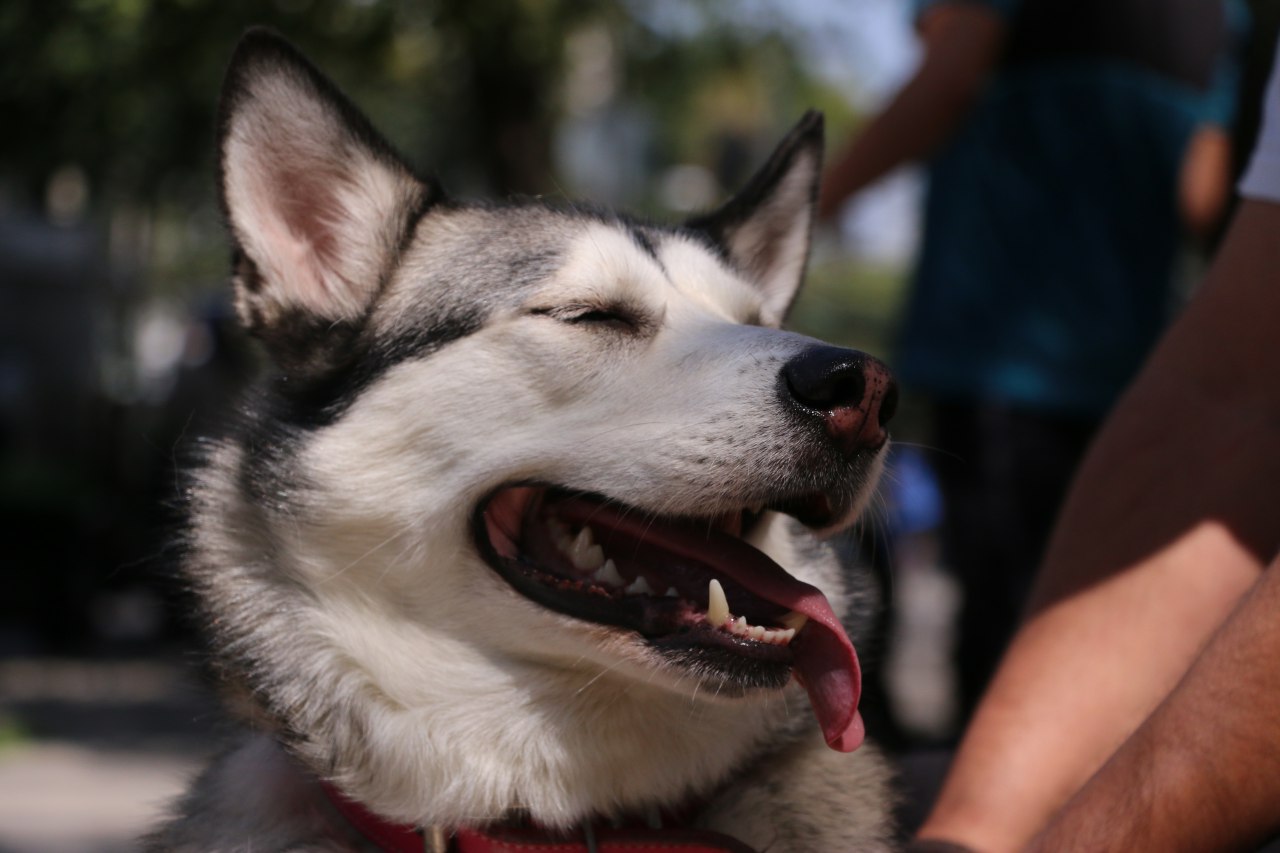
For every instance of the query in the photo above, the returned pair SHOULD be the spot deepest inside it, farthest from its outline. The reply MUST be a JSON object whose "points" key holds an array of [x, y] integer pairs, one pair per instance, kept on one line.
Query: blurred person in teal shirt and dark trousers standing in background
{"points": [[1071, 144]]}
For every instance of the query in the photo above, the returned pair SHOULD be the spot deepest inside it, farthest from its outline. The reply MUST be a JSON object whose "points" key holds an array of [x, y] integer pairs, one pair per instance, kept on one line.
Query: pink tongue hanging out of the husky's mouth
{"points": [[826, 663]]}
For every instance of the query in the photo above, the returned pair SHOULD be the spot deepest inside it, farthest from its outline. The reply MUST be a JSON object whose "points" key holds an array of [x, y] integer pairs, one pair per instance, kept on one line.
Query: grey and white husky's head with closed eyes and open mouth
{"points": [[516, 448]]}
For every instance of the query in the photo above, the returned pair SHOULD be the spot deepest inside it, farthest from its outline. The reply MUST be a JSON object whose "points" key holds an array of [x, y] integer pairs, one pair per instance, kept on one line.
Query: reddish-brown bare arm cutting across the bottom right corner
{"points": [[1204, 772]]}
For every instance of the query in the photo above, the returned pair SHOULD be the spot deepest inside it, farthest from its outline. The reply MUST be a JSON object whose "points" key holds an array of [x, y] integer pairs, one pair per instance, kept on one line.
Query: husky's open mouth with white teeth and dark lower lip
{"points": [[652, 577]]}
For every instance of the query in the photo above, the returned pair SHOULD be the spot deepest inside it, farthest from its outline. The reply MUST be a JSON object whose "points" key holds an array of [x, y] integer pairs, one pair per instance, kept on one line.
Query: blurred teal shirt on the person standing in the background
{"points": [[1052, 230]]}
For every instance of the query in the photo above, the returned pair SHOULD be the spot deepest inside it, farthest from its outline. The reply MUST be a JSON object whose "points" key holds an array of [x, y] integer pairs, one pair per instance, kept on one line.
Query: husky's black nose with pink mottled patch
{"points": [[852, 393]]}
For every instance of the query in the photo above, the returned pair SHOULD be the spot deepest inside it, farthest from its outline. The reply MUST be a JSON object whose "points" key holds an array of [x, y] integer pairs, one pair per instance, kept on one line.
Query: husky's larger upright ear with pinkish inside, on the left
{"points": [[318, 203]]}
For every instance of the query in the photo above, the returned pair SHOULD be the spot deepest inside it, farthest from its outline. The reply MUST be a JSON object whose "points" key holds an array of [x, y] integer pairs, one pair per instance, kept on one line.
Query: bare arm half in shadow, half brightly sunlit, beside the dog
{"points": [[1172, 519]]}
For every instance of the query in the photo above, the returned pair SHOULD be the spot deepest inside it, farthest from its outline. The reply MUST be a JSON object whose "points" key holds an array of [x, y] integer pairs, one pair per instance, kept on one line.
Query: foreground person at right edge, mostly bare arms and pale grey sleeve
{"points": [[1139, 709]]}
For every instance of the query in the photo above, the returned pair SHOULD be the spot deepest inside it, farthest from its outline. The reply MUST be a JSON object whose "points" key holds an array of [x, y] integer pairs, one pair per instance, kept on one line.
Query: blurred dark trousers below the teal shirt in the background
{"points": [[1003, 473]]}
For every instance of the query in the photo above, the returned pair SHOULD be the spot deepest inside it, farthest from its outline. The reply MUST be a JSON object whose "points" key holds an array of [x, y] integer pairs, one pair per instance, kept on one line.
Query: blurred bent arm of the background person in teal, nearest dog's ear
{"points": [[962, 43]]}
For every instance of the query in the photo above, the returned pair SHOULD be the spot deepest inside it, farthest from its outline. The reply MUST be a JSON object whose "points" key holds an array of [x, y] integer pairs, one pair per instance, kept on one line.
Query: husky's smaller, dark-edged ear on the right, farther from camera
{"points": [[765, 230]]}
